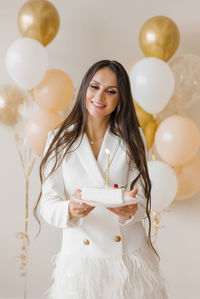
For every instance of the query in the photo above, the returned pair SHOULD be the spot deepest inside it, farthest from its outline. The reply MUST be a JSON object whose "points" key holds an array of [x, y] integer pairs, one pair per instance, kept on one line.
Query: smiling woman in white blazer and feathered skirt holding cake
{"points": [[105, 253]]}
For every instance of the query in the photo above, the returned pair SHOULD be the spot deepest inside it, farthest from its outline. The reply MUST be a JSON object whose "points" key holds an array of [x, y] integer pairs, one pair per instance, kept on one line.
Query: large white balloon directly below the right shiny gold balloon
{"points": [[152, 84]]}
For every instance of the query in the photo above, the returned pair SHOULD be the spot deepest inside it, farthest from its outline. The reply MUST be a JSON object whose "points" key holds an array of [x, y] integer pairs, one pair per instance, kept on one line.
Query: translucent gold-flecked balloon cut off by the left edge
{"points": [[14, 103]]}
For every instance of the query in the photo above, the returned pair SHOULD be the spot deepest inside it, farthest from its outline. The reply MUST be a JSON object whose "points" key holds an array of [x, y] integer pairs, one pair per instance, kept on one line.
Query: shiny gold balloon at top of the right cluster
{"points": [[159, 37]]}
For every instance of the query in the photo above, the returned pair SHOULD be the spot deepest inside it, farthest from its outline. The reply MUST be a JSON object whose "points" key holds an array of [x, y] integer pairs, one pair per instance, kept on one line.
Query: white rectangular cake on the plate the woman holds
{"points": [[103, 195]]}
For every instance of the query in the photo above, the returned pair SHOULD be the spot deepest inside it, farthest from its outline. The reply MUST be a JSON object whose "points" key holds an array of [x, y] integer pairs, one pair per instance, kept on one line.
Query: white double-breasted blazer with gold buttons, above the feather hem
{"points": [[101, 233]]}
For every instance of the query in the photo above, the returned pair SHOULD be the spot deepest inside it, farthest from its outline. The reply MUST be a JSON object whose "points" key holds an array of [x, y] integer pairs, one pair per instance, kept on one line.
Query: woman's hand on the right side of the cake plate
{"points": [[126, 212]]}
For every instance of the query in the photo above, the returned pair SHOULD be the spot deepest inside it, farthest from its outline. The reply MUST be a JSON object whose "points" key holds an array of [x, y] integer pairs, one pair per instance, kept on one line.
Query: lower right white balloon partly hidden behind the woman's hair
{"points": [[164, 185]]}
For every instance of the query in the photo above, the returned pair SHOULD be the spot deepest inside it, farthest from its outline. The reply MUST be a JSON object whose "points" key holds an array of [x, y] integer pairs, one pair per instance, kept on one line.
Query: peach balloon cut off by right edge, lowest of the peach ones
{"points": [[188, 178]]}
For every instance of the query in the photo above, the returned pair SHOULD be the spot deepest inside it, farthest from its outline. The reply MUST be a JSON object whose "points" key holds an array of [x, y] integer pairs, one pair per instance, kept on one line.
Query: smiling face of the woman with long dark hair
{"points": [[102, 94]]}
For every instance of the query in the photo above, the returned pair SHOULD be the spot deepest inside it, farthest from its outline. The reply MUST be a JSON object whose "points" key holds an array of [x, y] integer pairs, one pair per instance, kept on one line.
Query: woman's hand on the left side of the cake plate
{"points": [[76, 208]]}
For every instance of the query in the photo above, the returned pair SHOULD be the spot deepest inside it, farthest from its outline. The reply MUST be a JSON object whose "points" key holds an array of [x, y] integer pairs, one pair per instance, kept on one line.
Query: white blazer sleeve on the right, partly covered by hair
{"points": [[141, 210]]}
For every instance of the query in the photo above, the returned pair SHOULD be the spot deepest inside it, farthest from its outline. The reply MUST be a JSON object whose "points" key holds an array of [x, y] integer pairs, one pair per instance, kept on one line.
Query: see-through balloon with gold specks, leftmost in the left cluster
{"points": [[11, 98]]}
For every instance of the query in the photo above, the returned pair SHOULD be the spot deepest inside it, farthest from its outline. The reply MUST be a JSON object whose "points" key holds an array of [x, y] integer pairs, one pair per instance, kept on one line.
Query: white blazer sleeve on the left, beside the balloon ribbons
{"points": [[54, 201]]}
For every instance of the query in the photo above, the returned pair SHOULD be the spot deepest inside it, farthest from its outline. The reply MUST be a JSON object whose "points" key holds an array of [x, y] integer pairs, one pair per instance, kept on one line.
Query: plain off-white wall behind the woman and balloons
{"points": [[92, 30]]}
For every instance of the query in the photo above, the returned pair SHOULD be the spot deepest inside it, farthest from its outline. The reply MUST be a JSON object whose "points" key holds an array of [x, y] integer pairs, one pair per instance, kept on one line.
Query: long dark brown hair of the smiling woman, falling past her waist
{"points": [[123, 123]]}
